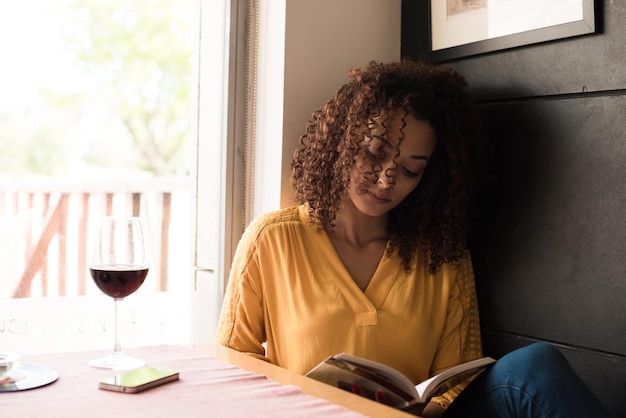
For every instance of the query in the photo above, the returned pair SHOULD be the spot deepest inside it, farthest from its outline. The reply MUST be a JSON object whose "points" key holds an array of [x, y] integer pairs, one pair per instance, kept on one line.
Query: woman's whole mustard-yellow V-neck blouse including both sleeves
{"points": [[289, 289]]}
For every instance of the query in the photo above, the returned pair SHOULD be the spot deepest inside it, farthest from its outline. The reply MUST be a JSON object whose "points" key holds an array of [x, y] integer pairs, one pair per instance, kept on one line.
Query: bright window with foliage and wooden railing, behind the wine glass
{"points": [[95, 105]]}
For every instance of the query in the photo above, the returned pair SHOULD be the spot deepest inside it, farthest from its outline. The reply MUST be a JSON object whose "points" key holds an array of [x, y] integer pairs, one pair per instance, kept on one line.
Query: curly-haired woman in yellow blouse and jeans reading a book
{"points": [[374, 260]]}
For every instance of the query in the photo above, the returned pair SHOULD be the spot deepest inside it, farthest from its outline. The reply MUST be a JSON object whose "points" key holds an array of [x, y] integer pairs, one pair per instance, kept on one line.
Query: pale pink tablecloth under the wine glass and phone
{"points": [[208, 387]]}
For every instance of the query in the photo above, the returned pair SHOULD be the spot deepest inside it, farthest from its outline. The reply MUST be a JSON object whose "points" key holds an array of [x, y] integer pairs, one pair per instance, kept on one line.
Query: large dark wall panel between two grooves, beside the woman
{"points": [[550, 254]]}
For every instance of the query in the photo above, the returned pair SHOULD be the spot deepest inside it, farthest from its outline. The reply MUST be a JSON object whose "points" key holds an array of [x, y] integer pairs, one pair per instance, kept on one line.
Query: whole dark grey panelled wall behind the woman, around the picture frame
{"points": [[550, 254]]}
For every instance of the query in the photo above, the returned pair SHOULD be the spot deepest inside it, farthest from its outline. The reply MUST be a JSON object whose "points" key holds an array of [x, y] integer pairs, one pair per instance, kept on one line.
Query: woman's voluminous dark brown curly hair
{"points": [[434, 219]]}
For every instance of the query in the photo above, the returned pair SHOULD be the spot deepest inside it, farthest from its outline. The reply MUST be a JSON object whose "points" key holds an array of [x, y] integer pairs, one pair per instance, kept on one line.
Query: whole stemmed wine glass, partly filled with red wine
{"points": [[119, 264]]}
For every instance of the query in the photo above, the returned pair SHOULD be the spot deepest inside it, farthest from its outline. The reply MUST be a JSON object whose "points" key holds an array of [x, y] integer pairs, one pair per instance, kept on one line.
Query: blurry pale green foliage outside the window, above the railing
{"points": [[112, 97]]}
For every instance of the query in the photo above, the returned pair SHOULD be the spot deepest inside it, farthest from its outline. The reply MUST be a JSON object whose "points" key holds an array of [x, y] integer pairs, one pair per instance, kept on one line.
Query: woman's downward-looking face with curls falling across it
{"points": [[399, 172]]}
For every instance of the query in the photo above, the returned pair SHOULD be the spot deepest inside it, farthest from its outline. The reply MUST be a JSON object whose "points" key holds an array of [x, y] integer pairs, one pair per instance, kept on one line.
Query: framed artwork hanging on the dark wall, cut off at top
{"points": [[460, 28]]}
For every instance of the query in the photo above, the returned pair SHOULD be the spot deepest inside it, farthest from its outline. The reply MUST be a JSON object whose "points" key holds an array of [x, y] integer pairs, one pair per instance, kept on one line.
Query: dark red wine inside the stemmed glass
{"points": [[118, 281]]}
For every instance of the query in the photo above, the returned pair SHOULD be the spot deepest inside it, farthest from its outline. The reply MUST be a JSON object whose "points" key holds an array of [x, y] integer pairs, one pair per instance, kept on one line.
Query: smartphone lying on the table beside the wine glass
{"points": [[138, 380]]}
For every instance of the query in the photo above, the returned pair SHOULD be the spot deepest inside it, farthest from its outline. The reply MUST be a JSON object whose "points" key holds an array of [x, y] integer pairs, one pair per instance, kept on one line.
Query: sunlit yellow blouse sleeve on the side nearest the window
{"points": [[241, 324]]}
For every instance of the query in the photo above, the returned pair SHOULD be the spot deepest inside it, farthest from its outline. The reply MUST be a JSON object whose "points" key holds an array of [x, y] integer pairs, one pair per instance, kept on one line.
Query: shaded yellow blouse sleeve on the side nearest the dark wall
{"points": [[461, 341]]}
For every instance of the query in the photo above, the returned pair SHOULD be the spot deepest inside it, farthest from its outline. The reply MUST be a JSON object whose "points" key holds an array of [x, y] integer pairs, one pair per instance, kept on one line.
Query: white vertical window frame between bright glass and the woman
{"points": [[220, 170]]}
